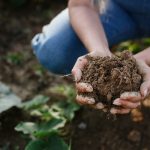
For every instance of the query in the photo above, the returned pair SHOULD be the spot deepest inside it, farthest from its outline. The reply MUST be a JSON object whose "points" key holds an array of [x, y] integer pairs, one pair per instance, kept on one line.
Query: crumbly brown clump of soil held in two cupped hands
{"points": [[111, 76]]}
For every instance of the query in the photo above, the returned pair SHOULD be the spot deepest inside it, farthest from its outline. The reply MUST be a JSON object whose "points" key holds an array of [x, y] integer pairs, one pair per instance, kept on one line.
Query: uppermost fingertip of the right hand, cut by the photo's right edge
{"points": [[145, 89]]}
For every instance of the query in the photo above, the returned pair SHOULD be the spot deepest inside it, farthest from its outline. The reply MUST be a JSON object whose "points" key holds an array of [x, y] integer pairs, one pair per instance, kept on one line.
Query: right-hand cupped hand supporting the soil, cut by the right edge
{"points": [[131, 100]]}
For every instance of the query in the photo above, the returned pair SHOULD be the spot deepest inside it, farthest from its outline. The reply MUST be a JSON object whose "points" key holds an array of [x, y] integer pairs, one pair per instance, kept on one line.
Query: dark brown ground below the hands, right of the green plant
{"points": [[92, 131]]}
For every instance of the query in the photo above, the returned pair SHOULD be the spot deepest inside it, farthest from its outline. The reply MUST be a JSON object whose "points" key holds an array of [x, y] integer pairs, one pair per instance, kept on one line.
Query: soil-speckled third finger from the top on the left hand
{"points": [[85, 100]]}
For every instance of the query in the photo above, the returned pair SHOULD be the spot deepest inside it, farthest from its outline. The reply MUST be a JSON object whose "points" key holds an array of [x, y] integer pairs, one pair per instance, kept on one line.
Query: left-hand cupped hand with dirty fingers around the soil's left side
{"points": [[85, 87]]}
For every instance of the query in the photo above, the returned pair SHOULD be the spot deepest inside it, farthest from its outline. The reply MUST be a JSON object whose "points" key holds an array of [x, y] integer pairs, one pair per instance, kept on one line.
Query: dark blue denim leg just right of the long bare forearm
{"points": [[118, 24]]}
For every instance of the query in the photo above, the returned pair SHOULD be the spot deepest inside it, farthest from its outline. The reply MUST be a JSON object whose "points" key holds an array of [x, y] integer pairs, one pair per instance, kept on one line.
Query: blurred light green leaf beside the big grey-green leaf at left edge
{"points": [[35, 102]]}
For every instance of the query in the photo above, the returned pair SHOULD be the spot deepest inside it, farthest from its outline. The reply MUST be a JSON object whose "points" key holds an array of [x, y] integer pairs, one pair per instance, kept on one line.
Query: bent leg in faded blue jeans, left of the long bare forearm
{"points": [[58, 46]]}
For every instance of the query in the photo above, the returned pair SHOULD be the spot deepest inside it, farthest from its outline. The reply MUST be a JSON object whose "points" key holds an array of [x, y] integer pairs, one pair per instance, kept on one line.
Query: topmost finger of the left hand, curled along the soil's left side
{"points": [[77, 69]]}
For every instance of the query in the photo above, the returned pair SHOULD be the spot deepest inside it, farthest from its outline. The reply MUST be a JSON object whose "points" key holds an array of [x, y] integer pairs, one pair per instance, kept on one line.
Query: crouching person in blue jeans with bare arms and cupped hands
{"points": [[83, 29]]}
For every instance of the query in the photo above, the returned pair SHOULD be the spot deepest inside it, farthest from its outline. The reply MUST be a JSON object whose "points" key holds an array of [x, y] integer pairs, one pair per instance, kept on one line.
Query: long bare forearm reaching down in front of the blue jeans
{"points": [[85, 21]]}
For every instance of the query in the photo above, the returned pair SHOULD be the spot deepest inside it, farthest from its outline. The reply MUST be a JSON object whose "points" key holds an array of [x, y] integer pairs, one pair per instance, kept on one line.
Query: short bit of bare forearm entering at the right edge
{"points": [[144, 56]]}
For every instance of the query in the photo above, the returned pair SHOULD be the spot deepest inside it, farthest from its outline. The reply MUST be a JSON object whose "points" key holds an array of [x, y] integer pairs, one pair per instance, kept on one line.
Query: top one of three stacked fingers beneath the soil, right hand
{"points": [[131, 96]]}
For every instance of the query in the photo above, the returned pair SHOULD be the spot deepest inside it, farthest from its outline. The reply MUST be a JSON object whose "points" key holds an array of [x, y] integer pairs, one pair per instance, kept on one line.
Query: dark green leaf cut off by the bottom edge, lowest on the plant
{"points": [[53, 142]]}
